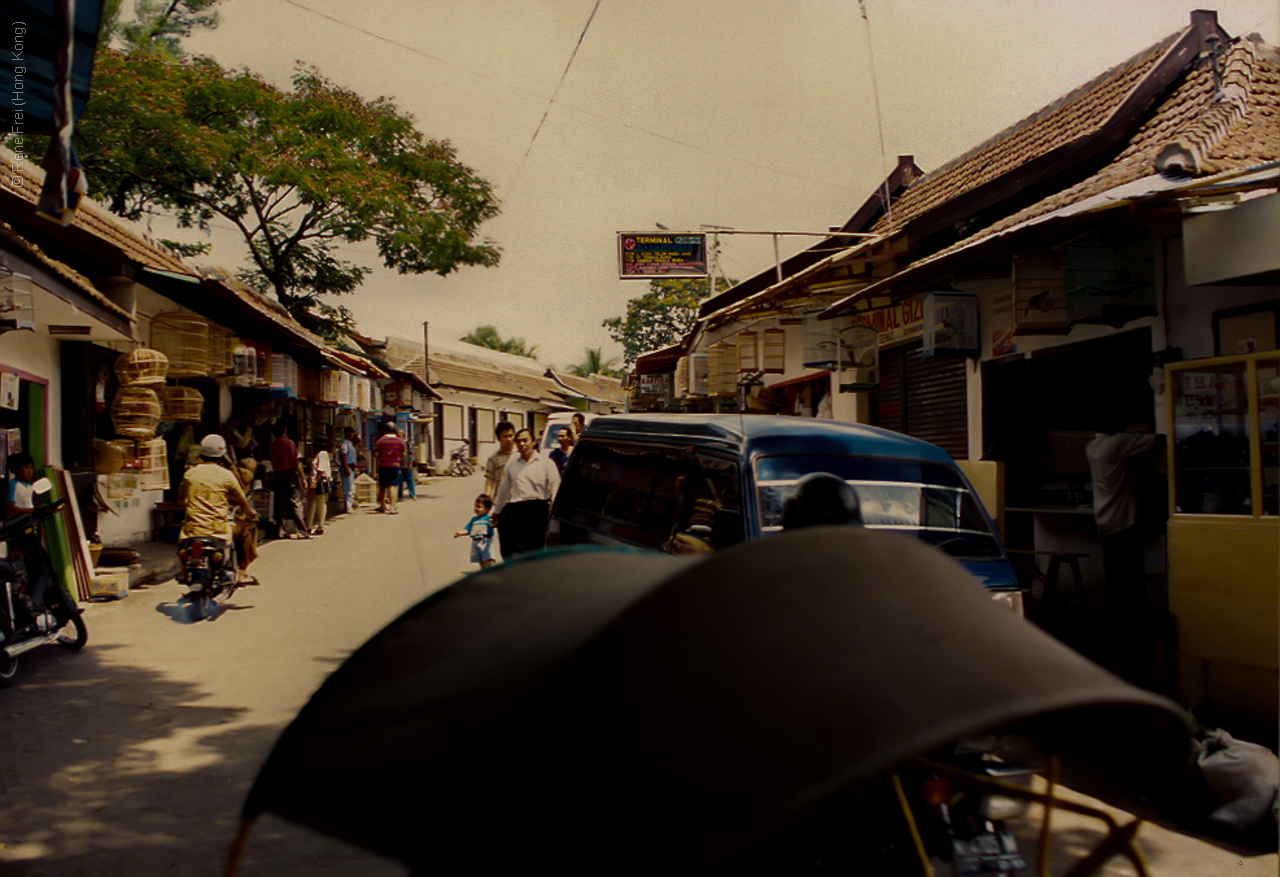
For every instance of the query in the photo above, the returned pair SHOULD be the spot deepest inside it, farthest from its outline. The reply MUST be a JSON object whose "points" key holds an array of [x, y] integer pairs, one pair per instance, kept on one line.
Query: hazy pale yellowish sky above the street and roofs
{"points": [[753, 115]]}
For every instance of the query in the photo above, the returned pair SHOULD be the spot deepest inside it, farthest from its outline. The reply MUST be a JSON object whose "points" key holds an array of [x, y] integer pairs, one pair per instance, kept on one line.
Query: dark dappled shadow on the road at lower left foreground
{"points": [[117, 770]]}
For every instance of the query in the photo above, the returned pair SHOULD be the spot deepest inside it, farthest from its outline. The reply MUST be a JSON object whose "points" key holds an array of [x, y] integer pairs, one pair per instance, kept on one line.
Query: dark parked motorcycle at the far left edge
{"points": [[25, 624]]}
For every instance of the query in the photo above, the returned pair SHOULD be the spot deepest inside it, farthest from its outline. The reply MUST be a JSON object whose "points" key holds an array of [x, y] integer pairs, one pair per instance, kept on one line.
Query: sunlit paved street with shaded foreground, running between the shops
{"points": [[135, 756]]}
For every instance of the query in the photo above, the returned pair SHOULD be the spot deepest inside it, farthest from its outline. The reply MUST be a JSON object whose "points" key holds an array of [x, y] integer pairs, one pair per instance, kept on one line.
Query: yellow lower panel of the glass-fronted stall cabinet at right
{"points": [[1224, 591]]}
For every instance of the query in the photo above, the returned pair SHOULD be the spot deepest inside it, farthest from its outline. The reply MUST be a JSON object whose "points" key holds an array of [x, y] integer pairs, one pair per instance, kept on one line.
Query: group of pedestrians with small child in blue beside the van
{"points": [[519, 486]]}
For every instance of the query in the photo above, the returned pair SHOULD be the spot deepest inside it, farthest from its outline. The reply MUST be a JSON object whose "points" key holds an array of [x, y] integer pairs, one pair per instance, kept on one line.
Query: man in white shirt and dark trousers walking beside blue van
{"points": [[524, 503]]}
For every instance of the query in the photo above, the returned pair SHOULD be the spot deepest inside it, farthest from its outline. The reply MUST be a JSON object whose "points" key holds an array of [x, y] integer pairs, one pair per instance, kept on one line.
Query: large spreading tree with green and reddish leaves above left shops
{"points": [[299, 173]]}
